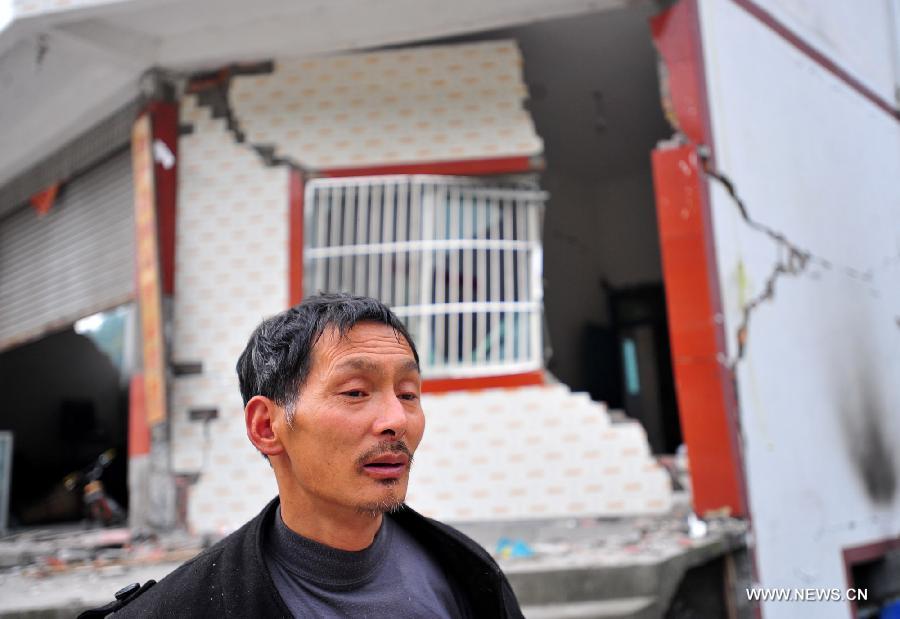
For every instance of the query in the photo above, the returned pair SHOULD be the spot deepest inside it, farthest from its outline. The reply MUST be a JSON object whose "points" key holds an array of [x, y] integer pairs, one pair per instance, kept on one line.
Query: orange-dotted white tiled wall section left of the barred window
{"points": [[231, 271]]}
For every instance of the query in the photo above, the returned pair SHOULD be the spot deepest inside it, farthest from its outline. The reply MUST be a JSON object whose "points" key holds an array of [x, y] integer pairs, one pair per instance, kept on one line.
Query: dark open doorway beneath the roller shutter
{"points": [[66, 404]]}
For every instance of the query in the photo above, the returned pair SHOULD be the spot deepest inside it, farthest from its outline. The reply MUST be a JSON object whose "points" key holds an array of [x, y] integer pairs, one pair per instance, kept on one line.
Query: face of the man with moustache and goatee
{"points": [[357, 421]]}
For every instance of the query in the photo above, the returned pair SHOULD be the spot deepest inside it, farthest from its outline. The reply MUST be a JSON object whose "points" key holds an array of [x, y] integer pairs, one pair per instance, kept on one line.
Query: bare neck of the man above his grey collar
{"points": [[335, 526]]}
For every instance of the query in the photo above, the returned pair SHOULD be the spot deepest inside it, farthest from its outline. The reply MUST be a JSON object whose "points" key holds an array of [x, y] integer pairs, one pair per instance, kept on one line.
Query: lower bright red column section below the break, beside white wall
{"points": [[703, 384]]}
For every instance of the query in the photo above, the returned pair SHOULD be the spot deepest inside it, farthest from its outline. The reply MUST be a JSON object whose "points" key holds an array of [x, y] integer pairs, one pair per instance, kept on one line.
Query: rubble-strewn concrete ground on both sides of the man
{"points": [[621, 568]]}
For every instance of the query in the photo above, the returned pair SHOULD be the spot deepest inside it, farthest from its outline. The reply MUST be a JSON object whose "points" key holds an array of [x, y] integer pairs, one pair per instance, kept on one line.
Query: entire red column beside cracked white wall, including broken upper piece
{"points": [[704, 385]]}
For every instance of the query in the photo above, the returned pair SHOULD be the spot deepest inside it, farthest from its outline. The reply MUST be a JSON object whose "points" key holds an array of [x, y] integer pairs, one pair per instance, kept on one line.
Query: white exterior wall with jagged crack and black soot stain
{"points": [[817, 387]]}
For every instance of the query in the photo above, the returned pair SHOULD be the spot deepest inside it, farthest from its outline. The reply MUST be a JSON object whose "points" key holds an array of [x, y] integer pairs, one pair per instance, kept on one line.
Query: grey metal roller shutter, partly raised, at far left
{"points": [[76, 260]]}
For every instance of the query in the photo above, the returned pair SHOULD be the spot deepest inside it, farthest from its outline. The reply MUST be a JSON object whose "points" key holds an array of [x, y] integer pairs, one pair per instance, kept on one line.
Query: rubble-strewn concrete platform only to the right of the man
{"points": [[612, 568]]}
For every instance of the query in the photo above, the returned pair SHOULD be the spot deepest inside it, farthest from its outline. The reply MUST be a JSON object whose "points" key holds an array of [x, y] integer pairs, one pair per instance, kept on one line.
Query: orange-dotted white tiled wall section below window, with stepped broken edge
{"points": [[532, 452]]}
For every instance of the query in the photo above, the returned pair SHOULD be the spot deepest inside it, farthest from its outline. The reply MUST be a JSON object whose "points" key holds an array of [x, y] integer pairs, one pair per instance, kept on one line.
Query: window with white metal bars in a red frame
{"points": [[458, 259]]}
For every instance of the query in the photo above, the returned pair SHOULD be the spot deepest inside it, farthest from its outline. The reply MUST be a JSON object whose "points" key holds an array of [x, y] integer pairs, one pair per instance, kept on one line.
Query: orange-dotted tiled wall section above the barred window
{"points": [[436, 103]]}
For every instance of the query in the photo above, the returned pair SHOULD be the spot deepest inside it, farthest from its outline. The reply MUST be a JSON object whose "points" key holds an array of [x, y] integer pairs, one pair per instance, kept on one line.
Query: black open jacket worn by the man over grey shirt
{"points": [[230, 579]]}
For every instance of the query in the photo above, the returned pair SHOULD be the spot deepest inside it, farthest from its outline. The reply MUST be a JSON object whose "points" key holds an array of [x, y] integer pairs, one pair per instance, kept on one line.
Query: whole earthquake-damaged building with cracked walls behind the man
{"points": [[613, 229]]}
